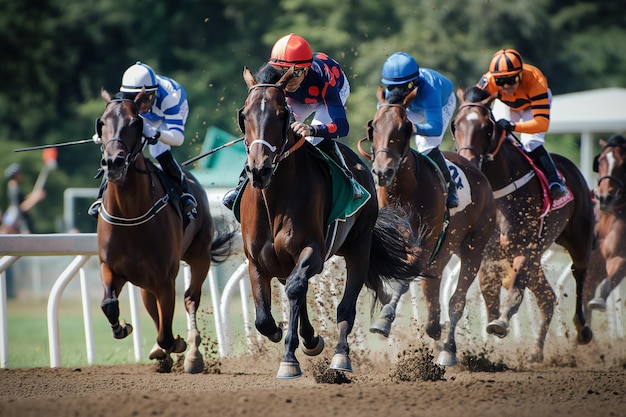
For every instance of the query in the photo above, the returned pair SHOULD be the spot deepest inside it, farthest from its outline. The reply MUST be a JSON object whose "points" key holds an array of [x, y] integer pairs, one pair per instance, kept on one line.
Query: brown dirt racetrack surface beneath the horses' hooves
{"points": [[248, 387]]}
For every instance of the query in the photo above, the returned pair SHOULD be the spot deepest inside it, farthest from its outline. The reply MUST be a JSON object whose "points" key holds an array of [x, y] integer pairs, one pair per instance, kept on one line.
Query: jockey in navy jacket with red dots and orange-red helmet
{"points": [[320, 88]]}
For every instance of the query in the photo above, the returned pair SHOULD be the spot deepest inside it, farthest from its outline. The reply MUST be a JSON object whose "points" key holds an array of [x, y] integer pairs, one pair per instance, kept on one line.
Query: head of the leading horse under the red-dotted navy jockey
{"points": [[265, 120]]}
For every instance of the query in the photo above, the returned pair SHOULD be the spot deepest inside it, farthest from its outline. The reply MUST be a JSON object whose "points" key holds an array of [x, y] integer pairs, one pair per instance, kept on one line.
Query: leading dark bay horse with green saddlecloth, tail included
{"points": [[285, 211]]}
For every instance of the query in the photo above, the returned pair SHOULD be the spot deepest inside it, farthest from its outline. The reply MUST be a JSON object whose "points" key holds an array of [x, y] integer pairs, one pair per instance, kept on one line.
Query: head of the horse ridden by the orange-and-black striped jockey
{"points": [[475, 132]]}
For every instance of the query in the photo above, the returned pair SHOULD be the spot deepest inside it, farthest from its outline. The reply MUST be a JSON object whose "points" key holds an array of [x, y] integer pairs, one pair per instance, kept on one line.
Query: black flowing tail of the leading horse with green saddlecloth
{"points": [[396, 255]]}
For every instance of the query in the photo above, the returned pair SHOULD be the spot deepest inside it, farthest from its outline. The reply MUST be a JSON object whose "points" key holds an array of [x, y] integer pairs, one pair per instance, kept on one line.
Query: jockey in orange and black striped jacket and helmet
{"points": [[523, 106]]}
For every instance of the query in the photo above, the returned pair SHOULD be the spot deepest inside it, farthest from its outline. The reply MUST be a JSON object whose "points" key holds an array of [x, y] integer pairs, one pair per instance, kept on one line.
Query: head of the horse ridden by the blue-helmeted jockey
{"points": [[390, 132]]}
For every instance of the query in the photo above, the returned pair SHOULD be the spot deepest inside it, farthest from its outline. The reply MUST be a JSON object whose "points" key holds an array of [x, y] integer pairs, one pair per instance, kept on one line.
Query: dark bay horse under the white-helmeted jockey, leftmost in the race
{"points": [[141, 238]]}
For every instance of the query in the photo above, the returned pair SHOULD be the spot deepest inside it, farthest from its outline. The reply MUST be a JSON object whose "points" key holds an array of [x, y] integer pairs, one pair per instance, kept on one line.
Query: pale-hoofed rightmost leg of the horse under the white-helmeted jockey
{"points": [[194, 362]]}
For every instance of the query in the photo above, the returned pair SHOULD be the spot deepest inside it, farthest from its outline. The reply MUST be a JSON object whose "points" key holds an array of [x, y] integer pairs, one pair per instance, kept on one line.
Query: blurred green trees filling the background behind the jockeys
{"points": [[58, 54]]}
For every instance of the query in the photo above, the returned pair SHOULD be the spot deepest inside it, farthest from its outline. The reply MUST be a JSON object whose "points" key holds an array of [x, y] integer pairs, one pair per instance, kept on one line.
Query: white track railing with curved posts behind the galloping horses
{"points": [[84, 246]]}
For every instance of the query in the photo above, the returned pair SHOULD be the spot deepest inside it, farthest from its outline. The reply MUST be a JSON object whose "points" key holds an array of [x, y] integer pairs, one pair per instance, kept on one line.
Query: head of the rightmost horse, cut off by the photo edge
{"points": [[610, 165]]}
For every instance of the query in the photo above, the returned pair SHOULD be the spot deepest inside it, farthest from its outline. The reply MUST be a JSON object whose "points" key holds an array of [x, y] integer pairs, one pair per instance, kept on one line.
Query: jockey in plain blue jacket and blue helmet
{"points": [[430, 111]]}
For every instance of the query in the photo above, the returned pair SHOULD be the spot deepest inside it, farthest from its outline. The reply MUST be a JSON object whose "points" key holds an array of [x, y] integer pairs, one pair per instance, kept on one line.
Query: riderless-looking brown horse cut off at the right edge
{"points": [[610, 193]]}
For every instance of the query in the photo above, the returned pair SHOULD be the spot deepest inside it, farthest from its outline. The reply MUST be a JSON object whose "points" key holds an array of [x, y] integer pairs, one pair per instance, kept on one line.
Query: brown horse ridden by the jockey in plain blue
{"points": [[406, 178]]}
